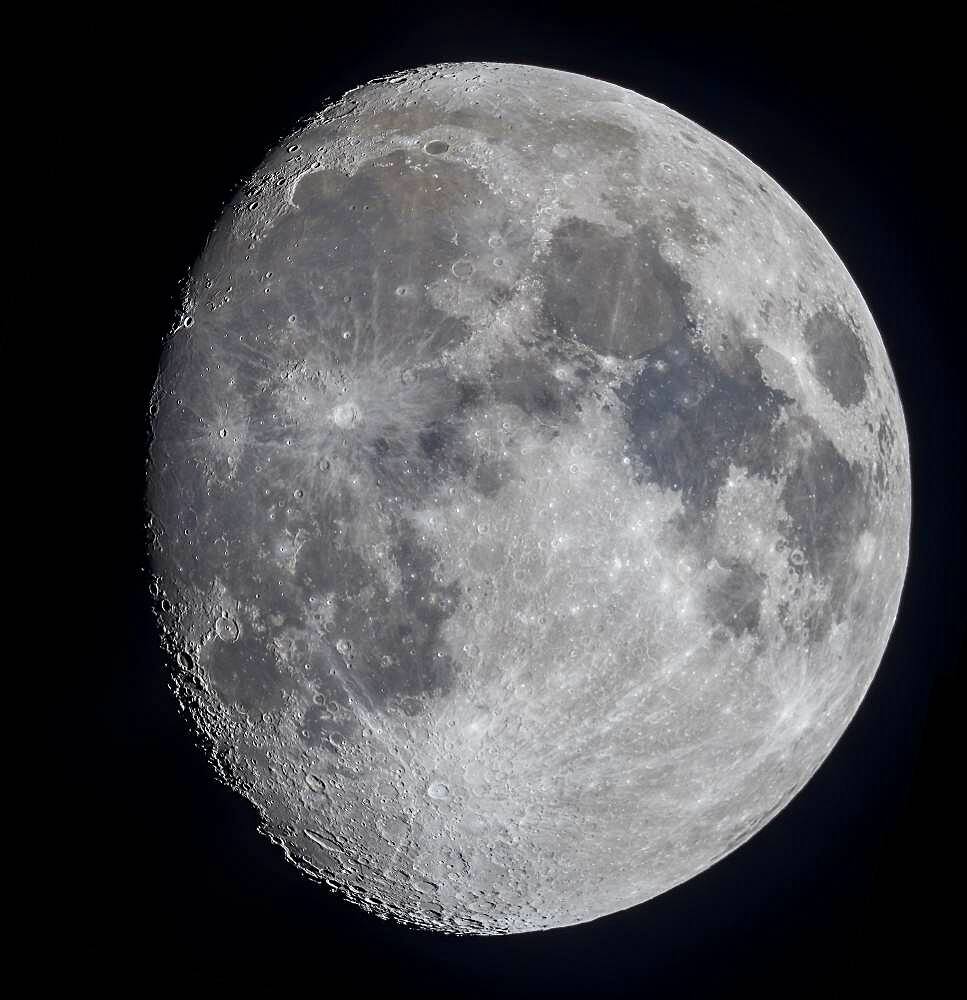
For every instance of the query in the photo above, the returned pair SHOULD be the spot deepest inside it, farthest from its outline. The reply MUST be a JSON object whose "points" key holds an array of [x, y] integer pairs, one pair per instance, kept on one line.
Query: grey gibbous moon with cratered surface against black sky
{"points": [[529, 498]]}
